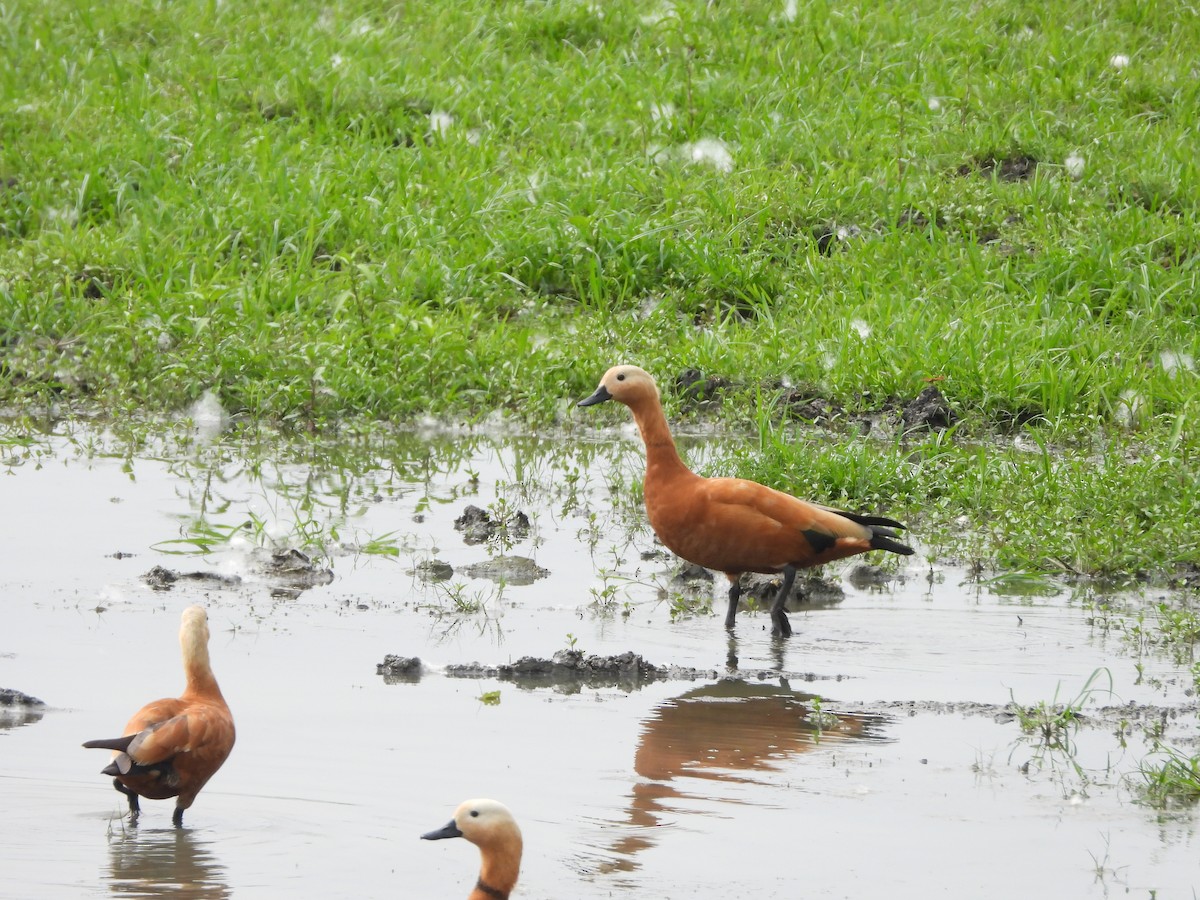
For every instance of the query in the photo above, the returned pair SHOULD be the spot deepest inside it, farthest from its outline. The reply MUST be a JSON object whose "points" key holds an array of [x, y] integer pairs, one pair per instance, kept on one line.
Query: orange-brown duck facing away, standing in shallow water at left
{"points": [[173, 747]]}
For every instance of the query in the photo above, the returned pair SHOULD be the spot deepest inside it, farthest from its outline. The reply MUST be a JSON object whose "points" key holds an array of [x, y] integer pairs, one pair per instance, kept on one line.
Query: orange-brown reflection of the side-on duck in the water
{"points": [[730, 733]]}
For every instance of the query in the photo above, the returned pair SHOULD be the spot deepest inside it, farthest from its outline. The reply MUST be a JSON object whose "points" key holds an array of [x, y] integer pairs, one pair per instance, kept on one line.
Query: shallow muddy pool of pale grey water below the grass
{"points": [[872, 755]]}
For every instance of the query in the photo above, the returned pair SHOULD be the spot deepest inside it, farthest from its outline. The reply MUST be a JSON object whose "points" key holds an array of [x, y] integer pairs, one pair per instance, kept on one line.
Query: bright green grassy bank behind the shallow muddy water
{"points": [[383, 212]]}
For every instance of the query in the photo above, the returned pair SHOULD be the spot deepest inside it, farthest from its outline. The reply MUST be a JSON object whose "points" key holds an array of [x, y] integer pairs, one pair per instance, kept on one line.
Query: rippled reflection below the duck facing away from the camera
{"points": [[165, 862]]}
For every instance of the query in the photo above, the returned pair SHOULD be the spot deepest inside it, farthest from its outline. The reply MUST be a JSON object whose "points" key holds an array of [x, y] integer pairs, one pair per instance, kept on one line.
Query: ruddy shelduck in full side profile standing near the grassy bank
{"points": [[733, 525]]}
